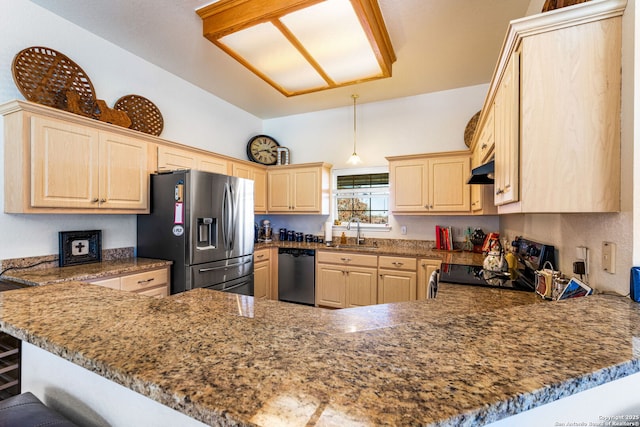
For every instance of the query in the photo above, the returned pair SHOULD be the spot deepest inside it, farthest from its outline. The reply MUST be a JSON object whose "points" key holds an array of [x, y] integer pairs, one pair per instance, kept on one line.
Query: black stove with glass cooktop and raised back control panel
{"points": [[530, 256]]}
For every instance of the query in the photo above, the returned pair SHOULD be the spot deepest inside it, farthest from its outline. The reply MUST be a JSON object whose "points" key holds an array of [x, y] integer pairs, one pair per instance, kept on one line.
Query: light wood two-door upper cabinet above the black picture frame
{"points": [[57, 162]]}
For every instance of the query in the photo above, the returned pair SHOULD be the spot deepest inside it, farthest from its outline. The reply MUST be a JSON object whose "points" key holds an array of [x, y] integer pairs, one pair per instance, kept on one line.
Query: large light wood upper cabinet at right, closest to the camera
{"points": [[558, 148]]}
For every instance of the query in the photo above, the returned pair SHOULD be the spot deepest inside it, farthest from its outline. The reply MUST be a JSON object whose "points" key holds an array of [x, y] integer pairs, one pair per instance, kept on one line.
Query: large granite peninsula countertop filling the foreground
{"points": [[468, 357]]}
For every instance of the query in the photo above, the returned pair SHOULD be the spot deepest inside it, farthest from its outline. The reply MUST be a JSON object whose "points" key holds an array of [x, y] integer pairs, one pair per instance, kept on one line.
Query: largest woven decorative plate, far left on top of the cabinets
{"points": [[50, 78]]}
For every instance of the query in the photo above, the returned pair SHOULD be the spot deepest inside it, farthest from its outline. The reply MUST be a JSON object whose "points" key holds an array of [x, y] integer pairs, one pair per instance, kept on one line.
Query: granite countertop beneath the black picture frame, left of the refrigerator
{"points": [[93, 271]]}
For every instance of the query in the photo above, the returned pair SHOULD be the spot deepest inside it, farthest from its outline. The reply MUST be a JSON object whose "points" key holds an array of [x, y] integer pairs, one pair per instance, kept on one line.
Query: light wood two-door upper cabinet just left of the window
{"points": [[299, 189]]}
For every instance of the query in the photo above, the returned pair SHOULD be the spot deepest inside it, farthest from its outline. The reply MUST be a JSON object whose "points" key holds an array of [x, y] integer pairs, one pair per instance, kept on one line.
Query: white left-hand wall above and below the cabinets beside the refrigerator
{"points": [[191, 116]]}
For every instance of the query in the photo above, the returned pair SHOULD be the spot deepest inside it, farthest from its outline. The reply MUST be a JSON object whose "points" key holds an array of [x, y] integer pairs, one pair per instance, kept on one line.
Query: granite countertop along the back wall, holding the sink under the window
{"points": [[396, 247]]}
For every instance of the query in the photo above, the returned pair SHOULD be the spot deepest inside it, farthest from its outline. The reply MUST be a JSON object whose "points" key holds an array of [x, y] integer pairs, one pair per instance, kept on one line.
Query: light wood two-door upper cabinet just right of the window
{"points": [[430, 183]]}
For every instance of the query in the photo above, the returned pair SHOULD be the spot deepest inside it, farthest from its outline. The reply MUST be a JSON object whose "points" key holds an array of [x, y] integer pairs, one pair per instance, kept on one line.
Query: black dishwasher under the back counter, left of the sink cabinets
{"points": [[297, 275]]}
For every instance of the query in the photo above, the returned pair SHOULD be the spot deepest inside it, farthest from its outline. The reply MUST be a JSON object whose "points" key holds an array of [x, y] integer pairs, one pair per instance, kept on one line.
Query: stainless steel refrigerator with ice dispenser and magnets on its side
{"points": [[204, 223]]}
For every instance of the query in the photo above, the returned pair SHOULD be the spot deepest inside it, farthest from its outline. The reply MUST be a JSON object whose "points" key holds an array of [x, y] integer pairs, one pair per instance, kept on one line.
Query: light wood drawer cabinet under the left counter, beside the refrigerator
{"points": [[155, 283]]}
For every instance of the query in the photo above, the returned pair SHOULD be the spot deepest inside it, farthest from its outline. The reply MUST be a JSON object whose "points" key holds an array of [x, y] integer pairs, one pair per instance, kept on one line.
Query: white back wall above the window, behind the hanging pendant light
{"points": [[418, 124]]}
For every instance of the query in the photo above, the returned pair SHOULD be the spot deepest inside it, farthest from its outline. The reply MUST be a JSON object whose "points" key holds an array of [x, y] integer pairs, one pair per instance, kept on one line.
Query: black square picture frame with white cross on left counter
{"points": [[79, 247]]}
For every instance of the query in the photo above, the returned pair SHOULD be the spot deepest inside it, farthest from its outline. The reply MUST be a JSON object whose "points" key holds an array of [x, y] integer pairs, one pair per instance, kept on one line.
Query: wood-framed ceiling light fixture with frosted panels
{"points": [[302, 46]]}
